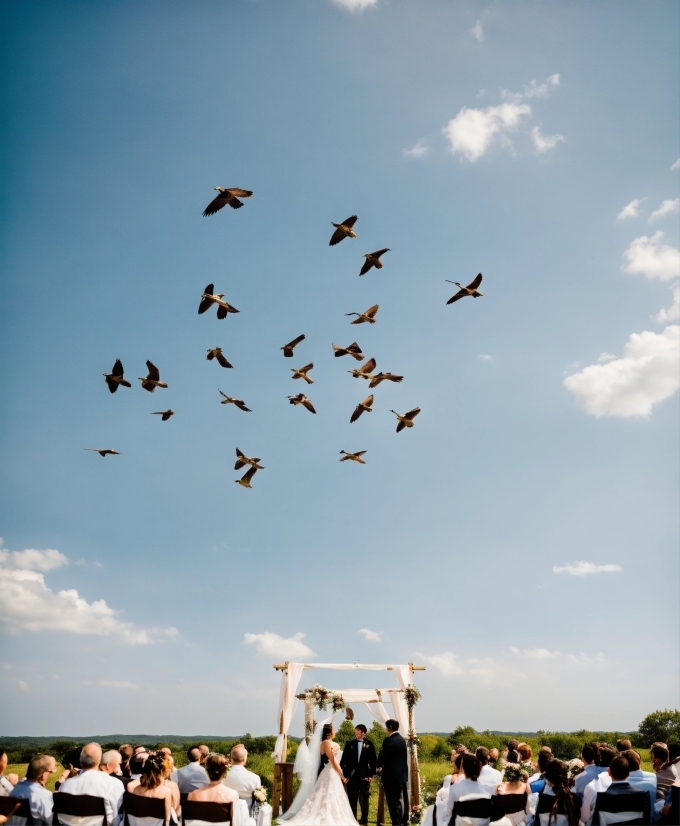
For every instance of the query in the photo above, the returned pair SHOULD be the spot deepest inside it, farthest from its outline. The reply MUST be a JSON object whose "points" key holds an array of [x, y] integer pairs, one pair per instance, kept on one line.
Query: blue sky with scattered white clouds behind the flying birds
{"points": [[520, 541]]}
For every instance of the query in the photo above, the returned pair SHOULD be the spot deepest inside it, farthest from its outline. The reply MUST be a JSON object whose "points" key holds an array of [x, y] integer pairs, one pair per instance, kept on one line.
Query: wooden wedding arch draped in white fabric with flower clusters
{"points": [[402, 698]]}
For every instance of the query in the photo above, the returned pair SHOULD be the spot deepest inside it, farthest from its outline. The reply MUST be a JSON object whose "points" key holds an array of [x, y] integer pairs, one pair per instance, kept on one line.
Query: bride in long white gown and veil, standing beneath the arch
{"points": [[321, 800]]}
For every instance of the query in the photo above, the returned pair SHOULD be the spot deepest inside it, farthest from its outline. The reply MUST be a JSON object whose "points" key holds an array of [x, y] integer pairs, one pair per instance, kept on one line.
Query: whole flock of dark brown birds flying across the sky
{"points": [[209, 298]]}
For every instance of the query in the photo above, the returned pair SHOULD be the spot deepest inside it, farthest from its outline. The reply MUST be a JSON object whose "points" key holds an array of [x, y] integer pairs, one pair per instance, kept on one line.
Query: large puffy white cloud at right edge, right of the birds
{"points": [[648, 373]]}
